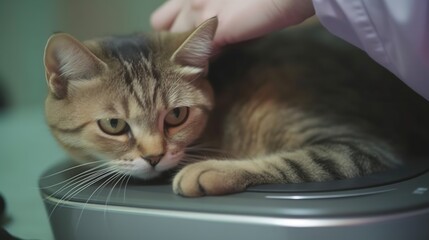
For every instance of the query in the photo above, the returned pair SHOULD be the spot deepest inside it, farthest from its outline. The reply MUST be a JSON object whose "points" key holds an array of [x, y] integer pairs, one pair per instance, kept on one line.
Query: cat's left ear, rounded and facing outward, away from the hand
{"points": [[67, 59]]}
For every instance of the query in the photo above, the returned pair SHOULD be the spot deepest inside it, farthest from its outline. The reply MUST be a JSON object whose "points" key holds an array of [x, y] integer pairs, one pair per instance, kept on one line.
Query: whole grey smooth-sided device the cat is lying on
{"points": [[393, 211]]}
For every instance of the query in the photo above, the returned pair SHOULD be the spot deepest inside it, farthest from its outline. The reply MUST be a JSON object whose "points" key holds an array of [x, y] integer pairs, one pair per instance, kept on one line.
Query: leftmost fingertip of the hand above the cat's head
{"points": [[164, 16]]}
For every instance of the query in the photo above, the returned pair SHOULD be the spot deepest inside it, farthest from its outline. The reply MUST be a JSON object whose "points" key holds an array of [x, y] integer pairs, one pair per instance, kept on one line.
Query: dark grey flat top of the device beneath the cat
{"points": [[158, 195]]}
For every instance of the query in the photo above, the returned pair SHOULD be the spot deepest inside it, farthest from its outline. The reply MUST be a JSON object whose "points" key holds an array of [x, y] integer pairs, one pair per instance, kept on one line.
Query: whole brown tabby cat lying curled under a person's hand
{"points": [[293, 107]]}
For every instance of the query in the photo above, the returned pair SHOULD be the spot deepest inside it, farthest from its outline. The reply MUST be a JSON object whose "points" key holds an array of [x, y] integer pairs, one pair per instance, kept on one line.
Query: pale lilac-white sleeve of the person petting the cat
{"points": [[395, 33]]}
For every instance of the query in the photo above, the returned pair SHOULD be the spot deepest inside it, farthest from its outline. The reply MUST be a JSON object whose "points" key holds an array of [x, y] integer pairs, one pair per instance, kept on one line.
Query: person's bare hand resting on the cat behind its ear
{"points": [[239, 20]]}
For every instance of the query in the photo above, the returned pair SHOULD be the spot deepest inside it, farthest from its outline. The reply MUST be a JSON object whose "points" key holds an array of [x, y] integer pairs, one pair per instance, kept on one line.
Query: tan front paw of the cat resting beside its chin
{"points": [[211, 177]]}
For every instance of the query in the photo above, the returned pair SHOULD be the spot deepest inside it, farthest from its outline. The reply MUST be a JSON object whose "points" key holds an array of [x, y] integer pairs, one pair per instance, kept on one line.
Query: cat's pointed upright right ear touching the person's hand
{"points": [[194, 53]]}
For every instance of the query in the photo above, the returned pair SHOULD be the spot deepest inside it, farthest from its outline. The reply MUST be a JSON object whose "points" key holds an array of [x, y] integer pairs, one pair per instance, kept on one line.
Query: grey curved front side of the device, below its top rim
{"points": [[108, 224]]}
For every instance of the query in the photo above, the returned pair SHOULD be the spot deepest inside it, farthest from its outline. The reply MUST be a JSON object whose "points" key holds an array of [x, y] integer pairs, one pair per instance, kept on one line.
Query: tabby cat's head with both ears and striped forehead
{"points": [[136, 102]]}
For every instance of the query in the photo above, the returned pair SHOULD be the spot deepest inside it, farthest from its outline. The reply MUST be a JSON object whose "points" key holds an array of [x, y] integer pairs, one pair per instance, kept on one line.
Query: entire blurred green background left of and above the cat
{"points": [[26, 146]]}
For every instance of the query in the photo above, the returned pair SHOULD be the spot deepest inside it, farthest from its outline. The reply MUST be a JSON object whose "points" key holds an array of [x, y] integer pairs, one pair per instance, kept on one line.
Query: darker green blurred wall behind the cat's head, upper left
{"points": [[25, 25]]}
